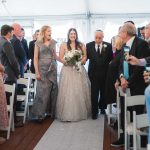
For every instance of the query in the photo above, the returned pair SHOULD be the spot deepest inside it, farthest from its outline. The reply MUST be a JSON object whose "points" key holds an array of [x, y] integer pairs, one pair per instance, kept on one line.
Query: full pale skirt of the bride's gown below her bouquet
{"points": [[74, 95]]}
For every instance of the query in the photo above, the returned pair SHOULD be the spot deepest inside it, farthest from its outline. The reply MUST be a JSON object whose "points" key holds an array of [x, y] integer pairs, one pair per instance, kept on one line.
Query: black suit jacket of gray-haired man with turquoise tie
{"points": [[138, 49]]}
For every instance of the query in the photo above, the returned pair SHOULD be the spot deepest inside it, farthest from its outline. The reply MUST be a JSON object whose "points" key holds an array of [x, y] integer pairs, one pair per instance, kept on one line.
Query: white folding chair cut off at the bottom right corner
{"points": [[139, 121]]}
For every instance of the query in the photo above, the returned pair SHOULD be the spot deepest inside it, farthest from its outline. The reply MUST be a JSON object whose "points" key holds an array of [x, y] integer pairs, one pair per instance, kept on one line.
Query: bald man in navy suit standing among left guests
{"points": [[18, 47]]}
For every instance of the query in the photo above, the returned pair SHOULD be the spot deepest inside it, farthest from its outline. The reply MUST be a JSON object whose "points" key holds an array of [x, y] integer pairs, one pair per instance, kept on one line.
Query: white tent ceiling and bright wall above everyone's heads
{"points": [[85, 15]]}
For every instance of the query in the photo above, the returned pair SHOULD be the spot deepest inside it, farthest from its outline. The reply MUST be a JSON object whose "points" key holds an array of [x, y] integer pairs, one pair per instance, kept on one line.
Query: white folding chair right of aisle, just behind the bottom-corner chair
{"points": [[131, 101]]}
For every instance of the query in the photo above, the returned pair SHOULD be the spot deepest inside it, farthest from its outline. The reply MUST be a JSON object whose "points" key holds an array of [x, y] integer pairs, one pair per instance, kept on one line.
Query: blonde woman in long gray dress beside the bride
{"points": [[46, 74]]}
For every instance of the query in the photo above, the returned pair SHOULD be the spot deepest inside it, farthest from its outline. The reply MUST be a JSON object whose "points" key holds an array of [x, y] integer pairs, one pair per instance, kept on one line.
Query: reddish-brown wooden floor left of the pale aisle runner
{"points": [[25, 138]]}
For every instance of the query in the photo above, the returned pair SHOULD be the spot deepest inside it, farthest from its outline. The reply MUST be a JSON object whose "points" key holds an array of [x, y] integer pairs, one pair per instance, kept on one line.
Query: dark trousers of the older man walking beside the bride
{"points": [[98, 95]]}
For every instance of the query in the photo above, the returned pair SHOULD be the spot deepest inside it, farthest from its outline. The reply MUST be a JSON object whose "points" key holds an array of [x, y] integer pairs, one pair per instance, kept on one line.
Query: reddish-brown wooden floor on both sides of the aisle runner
{"points": [[27, 137]]}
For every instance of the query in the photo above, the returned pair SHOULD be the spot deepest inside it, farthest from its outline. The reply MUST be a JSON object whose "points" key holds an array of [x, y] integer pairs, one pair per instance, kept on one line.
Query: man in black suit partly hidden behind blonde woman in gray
{"points": [[31, 50]]}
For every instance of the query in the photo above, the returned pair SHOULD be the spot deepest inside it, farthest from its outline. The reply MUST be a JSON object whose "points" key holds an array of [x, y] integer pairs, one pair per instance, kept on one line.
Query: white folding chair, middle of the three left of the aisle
{"points": [[23, 98]]}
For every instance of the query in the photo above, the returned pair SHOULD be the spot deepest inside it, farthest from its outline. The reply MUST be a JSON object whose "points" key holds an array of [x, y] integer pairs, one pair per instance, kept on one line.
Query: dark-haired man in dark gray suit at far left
{"points": [[10, 63]]}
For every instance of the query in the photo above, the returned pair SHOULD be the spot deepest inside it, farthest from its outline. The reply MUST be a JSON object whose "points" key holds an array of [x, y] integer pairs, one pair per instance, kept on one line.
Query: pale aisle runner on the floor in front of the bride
{"points": [[83, 135]]}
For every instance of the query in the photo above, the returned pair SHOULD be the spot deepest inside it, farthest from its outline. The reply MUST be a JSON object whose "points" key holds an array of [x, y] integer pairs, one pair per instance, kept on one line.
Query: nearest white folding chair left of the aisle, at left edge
{"points": [[11, 90]]}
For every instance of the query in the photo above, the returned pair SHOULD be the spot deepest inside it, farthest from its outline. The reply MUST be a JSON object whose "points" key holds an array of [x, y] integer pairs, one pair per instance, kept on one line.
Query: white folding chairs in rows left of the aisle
{"points": [[30, 82]]}
